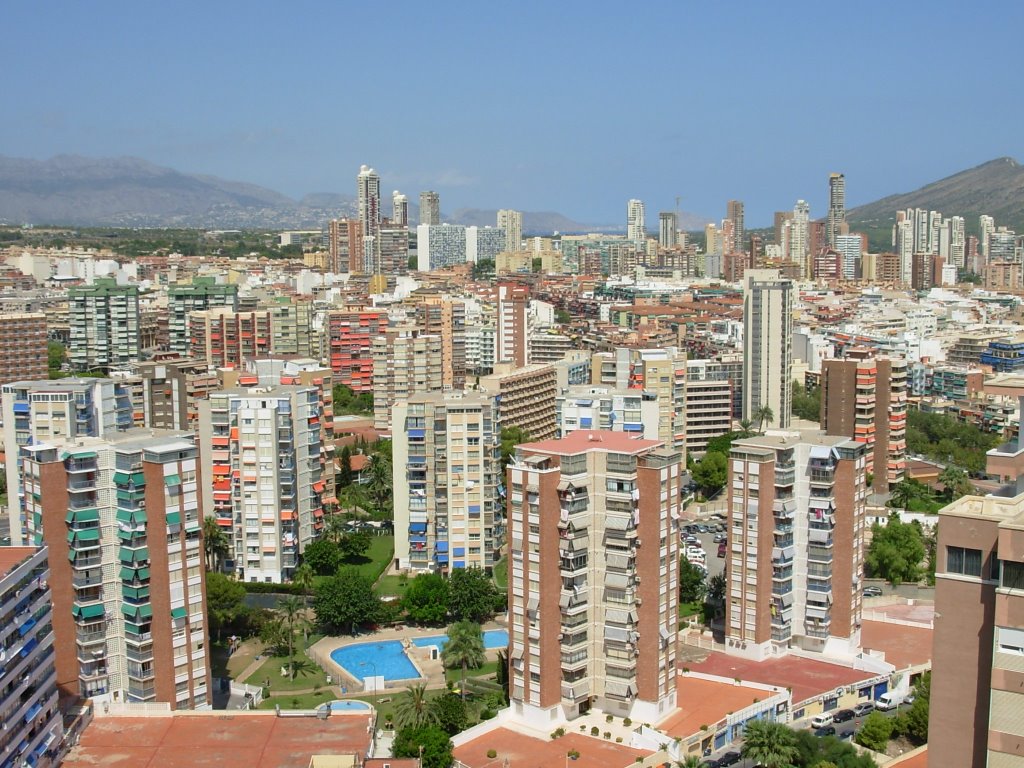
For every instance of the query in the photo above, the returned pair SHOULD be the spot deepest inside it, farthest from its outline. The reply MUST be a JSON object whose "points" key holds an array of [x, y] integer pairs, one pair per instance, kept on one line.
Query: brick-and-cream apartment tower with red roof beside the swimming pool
{"points": [[593, 578]]}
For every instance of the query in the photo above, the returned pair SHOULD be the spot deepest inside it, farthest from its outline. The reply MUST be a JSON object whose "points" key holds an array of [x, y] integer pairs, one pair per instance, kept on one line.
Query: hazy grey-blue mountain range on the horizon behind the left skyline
{"points": [[129, 192]]}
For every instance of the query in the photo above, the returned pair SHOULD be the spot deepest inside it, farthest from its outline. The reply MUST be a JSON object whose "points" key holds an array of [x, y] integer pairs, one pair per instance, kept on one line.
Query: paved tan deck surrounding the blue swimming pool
{"points": [[433, 670]]}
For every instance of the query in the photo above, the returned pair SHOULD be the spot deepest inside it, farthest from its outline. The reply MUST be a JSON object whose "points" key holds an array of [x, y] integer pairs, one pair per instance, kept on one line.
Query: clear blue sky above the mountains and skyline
{"points": [[573, 107]]}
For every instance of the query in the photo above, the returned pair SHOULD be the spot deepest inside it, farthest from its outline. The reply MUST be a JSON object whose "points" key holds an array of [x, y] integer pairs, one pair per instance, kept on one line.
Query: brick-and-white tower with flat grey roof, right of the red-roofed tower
{"points": [[795, 560]]}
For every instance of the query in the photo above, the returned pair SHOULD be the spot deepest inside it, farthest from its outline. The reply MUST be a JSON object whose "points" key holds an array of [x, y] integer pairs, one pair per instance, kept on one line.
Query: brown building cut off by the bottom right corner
{"points": [[976, 701]]}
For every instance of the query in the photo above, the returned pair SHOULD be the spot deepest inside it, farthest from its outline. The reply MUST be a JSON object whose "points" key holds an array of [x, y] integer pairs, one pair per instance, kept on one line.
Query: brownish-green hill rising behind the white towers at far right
{"points": [[996, 188]]}
